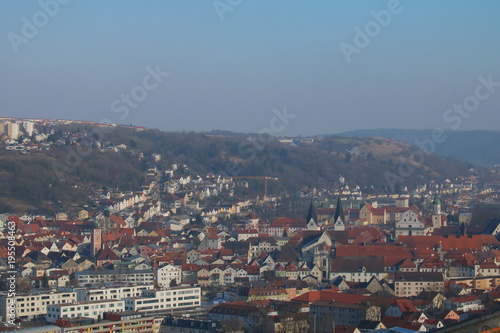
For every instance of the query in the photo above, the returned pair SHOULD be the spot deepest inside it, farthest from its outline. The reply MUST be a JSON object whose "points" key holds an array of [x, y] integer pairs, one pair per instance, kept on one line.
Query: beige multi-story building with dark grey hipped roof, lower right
{"points": [[408, 284]]}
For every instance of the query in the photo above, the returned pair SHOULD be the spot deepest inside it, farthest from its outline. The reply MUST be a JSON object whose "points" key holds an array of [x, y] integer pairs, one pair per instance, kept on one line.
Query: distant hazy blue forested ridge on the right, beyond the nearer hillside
{"points": [[478, 147]]}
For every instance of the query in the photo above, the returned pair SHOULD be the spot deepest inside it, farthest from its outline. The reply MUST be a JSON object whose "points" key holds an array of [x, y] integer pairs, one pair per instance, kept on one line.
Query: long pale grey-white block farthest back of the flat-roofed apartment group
{"points": [[107, 276]]}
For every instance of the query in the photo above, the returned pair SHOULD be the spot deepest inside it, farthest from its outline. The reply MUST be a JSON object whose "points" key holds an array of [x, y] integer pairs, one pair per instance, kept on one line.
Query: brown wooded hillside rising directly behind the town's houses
{"points": [[28, 181]]}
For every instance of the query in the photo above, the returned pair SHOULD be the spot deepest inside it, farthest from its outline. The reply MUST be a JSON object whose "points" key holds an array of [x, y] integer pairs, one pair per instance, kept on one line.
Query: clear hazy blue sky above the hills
{"points": [[230, 74]]}
